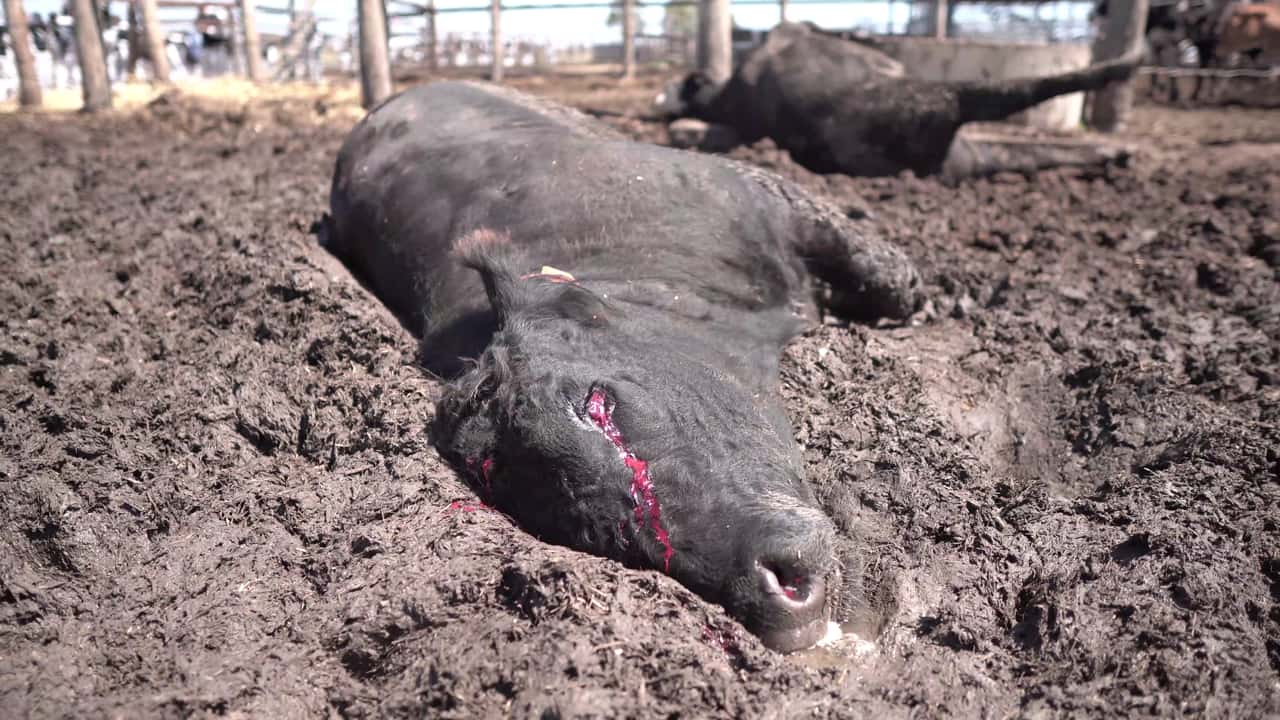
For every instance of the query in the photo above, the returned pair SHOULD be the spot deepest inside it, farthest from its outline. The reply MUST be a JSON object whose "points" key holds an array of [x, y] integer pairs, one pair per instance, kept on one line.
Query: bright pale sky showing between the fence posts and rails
{"points": [[586, 26]]}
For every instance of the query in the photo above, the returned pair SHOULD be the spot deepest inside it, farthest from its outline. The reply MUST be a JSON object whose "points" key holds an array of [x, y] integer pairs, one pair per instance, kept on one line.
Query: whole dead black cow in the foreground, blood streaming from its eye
{"points": [[624, 308]]}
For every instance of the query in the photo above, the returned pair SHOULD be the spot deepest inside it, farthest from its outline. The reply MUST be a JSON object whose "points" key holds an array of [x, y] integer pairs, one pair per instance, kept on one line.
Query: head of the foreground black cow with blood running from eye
{"points": [[593, 432]]}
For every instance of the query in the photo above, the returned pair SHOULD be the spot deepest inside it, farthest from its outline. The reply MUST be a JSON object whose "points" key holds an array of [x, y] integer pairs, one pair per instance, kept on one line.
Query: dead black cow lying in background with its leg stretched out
{"points": [[843, 107]]}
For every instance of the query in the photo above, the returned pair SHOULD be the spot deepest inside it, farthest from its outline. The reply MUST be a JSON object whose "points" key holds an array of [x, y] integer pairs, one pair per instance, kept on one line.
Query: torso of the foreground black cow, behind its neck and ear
{"points": [[441, 161]]}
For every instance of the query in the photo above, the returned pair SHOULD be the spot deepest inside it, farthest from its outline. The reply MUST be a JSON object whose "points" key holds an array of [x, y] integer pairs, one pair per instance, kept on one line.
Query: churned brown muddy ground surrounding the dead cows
{"points": [[218, 498]]}
